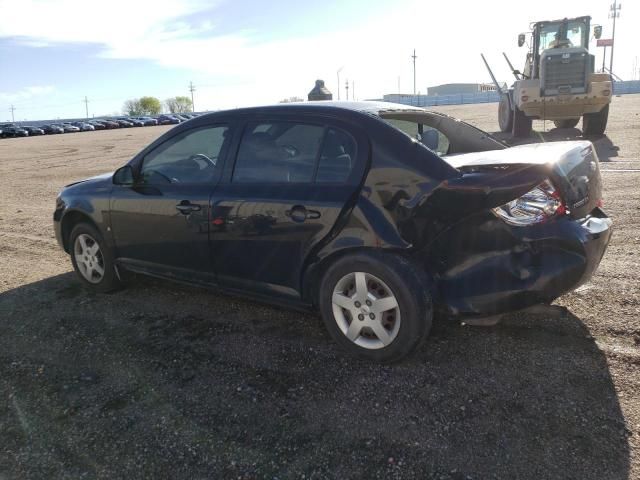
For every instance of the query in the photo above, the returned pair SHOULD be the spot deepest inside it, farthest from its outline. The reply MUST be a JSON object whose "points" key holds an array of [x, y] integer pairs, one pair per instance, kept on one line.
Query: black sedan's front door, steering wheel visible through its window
{"points": [[161, 223]]}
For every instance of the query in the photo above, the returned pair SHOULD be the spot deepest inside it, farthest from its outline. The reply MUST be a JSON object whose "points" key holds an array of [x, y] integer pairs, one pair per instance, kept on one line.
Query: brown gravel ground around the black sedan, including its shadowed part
{"points": [[163, 381]]}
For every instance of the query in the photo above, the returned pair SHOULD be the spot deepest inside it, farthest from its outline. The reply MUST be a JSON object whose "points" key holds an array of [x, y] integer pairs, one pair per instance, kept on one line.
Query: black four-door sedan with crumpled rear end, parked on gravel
{"points": [[375, 214]]}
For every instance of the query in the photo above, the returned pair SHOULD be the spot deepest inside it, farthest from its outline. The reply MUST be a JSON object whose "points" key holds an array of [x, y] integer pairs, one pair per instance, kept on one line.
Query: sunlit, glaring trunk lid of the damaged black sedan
{"points": [[572, 167]]}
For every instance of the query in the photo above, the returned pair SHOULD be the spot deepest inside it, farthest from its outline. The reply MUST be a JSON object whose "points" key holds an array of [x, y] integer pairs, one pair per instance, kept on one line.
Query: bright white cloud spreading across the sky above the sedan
{"points": [[242, 66]]}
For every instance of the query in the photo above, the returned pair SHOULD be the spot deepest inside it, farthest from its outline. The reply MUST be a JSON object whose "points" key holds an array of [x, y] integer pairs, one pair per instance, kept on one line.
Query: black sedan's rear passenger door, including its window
{"points": [[289, 184]]}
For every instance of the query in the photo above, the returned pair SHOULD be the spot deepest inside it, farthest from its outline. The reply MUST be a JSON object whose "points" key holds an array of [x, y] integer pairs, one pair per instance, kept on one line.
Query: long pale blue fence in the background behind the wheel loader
{"points": [[619, 88]]}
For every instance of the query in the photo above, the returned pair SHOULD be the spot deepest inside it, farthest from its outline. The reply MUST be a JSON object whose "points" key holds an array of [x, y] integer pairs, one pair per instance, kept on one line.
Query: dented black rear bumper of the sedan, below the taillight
{"points": [[486, 267]]}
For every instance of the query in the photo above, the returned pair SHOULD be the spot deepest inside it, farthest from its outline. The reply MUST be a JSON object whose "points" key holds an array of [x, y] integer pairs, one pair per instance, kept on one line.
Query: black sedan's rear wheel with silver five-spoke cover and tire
{"points": [[376, 306]]}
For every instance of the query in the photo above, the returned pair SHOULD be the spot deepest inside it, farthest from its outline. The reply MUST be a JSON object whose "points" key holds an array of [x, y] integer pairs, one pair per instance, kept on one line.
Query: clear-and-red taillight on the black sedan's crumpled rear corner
{"points": [[535, 206]]}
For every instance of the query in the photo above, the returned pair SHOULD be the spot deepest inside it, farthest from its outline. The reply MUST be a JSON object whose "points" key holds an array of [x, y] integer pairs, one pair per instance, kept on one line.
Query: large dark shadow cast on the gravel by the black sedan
{"points": [[161, 381]]}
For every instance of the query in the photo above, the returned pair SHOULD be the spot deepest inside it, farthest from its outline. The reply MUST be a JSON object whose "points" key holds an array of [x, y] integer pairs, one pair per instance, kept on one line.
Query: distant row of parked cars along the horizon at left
{"points": [[12, 130]]}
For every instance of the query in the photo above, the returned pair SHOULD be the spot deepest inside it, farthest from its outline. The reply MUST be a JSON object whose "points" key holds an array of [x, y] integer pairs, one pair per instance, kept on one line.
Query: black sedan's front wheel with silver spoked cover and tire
{"points": [[92, 259]]}
